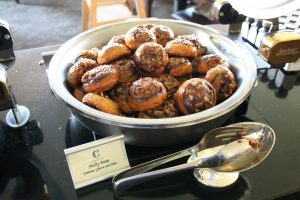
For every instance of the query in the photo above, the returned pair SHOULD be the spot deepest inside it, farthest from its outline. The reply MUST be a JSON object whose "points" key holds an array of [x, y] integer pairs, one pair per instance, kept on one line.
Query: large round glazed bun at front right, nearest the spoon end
{"points": [[195, 95]]}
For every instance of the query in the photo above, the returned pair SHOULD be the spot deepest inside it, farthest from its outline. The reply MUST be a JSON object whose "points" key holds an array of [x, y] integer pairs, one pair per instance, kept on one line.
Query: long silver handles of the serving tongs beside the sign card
{"points": [[136, 174]]}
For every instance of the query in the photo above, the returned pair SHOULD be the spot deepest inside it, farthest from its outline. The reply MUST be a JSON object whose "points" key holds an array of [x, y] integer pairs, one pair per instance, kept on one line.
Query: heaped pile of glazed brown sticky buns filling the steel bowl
{"points": [[146, 73]]}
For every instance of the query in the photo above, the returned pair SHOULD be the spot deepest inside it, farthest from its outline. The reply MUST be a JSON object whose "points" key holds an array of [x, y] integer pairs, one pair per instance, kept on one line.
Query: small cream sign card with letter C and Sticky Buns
{"points": [[96, 161]]}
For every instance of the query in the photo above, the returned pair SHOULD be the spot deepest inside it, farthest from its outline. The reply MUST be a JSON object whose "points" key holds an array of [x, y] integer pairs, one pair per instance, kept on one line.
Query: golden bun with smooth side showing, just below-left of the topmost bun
{"points": [[111, 52]]}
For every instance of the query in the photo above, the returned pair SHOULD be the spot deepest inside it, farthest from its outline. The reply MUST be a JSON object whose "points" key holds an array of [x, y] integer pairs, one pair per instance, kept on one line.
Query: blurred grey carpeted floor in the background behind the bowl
{"points": [[36, 23]]}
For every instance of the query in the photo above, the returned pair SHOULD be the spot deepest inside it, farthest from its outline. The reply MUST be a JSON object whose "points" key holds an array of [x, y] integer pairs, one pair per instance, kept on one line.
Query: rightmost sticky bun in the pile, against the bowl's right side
{"points": [[222, 79]]}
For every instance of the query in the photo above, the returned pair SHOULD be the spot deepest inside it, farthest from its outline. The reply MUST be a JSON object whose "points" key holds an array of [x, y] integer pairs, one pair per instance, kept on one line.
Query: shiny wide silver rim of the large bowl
{"points": [[220, 109]]}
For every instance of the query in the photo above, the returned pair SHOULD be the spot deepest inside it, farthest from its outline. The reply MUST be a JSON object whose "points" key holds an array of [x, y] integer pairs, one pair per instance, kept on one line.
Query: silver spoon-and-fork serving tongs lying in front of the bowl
{"points": [[245, 146]]}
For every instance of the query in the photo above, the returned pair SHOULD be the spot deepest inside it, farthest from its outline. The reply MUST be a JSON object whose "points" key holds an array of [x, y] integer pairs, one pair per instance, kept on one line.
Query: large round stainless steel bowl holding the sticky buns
{"points": [[153, 132]]}
